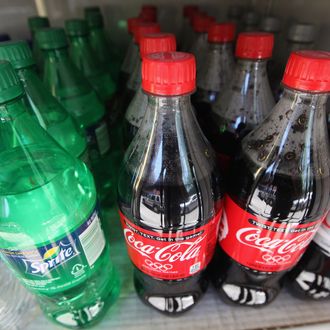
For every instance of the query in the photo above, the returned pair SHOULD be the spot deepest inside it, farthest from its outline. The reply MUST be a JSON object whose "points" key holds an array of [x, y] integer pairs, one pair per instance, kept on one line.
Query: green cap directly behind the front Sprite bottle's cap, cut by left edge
{"points": [[18, 53]]}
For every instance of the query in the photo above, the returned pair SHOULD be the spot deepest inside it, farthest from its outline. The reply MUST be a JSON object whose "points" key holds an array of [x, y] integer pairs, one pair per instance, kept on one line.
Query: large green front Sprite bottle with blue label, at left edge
{"points": [[51, 236]]}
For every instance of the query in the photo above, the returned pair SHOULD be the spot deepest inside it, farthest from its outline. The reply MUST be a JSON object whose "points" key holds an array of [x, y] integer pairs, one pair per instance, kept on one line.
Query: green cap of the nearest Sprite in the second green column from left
{"points": [[51, 38]]}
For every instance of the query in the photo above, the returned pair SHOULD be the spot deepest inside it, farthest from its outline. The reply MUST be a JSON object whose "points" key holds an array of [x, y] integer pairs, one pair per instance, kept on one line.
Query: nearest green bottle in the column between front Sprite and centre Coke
{"points": [[75, 93]]}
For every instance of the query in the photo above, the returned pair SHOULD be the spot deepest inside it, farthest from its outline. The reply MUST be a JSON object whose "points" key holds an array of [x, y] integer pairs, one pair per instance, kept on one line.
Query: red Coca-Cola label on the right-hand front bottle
{"points": [[261, 244]]}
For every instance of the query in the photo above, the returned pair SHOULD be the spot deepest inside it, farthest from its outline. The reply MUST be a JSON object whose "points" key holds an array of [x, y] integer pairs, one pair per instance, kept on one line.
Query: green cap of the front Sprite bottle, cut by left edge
{"points": [[10, 86]]}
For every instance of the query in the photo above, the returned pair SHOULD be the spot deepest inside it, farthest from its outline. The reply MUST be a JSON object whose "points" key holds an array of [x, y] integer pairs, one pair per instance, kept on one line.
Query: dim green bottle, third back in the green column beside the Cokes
{"points": [[99, 43]]}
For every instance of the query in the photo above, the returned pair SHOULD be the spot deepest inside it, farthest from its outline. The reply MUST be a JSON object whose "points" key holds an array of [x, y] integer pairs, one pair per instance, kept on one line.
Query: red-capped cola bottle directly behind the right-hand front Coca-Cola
{"points": [[246, 100]]}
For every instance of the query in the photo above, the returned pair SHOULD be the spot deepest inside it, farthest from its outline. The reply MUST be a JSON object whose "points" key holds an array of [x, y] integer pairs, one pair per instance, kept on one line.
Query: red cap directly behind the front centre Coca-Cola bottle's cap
{"points": [[157, 42]]}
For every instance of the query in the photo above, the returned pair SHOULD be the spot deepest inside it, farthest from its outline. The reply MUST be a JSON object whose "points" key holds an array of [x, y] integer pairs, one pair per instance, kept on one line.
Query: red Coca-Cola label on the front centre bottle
{"points": [[171, 256]]}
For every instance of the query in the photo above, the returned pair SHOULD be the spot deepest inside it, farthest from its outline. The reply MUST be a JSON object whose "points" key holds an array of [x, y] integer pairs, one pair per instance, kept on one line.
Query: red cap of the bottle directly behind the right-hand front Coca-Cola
{"points": [[254, 45]]}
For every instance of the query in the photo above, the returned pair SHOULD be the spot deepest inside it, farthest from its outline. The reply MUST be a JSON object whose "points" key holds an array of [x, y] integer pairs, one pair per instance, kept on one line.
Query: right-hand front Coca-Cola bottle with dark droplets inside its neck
{"points": [[279, 188]]}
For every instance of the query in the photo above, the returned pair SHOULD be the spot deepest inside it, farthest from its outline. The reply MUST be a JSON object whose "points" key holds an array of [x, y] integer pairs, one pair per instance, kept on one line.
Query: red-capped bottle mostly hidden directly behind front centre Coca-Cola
{"points": [[149, 43]]}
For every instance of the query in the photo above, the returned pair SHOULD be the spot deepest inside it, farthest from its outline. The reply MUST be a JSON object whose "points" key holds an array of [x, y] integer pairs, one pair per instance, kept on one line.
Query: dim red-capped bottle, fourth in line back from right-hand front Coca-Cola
{"points": [[201, 24]]}
